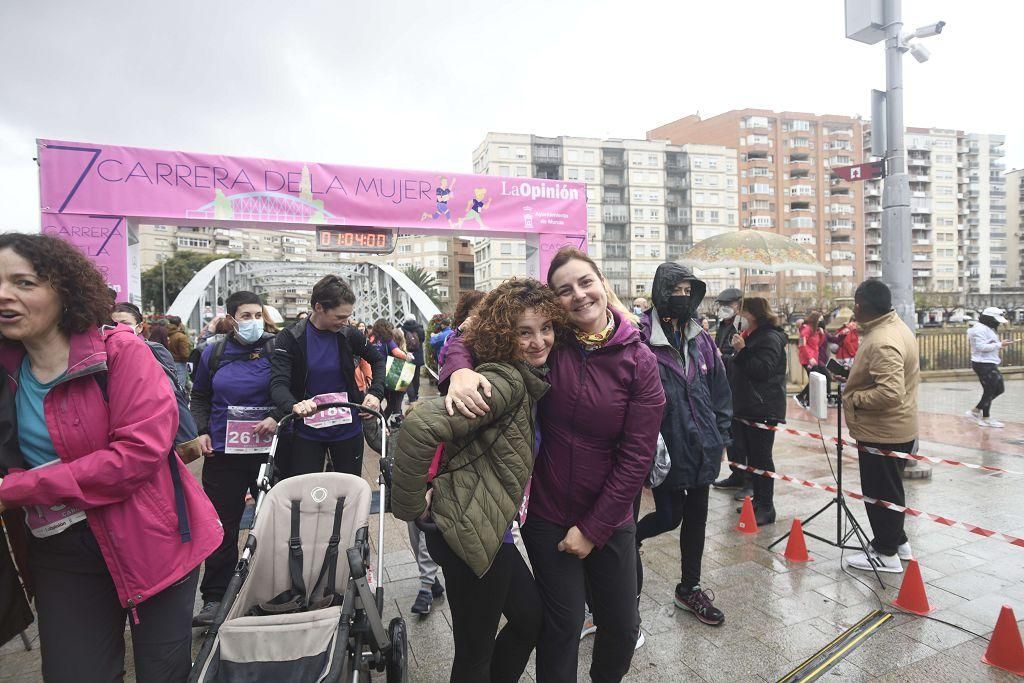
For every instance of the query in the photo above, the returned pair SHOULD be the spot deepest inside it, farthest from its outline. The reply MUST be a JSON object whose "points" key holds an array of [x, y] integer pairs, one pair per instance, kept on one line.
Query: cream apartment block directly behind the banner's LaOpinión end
{"points": [[639, 209]]}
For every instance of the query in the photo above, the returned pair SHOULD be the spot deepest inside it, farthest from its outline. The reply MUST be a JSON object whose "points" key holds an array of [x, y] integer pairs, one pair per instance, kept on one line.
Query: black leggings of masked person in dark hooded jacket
{"points": [[686, 507]]}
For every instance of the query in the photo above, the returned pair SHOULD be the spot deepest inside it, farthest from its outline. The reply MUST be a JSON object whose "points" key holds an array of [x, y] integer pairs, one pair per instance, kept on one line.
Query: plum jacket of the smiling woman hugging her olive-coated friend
{"points": [[601, 422]]}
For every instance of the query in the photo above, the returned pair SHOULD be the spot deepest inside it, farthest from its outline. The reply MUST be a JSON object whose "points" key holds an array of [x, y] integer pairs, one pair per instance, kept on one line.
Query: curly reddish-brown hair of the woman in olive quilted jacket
{"points": [[492, 337]]}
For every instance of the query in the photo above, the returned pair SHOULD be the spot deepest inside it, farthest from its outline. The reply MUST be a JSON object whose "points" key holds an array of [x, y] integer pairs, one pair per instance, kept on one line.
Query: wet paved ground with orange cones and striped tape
{"points": [[779, 614]]}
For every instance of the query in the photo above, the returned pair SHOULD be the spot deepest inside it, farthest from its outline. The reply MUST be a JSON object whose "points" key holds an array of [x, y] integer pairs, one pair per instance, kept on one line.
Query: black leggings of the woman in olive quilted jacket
{"points": [[478, 605]]}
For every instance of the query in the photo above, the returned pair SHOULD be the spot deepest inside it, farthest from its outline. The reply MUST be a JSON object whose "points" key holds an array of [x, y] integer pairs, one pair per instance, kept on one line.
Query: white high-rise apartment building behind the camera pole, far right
{"points": [[958, 215]]}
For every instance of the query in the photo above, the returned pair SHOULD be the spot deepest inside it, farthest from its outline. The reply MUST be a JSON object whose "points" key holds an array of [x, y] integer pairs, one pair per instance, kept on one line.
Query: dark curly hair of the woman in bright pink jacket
{"points": [[83, 292]]}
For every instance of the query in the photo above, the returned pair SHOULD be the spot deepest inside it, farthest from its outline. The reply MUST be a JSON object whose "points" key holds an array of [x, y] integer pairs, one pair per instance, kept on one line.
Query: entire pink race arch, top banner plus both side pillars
{"points": [[95, 196]]}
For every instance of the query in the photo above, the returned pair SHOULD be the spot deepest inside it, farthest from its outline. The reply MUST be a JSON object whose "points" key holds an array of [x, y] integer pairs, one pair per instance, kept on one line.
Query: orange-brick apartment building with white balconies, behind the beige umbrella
{"points": [[784, 173]]}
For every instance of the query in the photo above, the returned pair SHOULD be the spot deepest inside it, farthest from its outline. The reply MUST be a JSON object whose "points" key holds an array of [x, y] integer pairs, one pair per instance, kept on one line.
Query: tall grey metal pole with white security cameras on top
{"points": [[871, 22]]}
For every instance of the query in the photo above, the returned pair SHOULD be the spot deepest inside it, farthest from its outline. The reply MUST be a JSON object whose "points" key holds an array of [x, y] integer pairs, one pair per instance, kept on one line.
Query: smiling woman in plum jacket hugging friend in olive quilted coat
{"points": [[600, 426]]}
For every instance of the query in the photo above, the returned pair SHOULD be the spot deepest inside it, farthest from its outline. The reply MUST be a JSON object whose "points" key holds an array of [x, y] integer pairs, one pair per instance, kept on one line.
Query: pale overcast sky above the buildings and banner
{"points": [[417, 86]]}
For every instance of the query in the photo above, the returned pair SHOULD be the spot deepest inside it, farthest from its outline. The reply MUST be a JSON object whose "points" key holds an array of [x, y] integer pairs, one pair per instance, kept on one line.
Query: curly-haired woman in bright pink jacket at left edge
{"points": [[117, 527]]}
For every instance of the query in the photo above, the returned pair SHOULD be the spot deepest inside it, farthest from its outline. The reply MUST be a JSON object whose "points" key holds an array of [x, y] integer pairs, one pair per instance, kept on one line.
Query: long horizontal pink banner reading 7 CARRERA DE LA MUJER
{"points": [[86, 179]]}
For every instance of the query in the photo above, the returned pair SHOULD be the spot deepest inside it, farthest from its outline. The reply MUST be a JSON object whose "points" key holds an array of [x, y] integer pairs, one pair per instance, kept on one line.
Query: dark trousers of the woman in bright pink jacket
{"points": [[82, 623]]}
